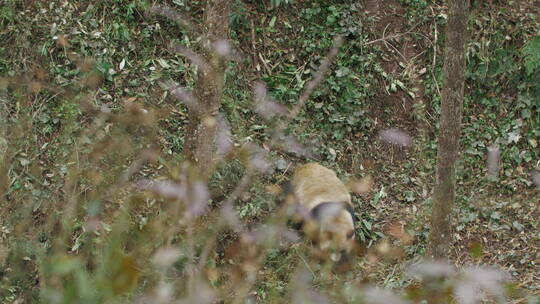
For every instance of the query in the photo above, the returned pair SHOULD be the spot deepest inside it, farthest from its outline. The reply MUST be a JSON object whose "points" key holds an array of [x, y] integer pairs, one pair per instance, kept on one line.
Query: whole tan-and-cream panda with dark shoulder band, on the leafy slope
{"points": [[328, 216]]}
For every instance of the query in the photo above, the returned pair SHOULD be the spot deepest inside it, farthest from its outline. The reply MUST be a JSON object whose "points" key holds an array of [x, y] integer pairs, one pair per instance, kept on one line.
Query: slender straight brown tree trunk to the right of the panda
{"points": [[440, 237]]}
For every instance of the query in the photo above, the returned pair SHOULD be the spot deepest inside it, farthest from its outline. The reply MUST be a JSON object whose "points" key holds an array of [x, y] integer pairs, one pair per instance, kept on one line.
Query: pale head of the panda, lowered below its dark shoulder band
{"points": [[331, 226]]}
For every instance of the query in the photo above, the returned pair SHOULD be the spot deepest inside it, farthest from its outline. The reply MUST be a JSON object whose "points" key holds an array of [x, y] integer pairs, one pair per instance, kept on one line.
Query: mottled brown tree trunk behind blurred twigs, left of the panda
{"points": [[199, 143]]}
